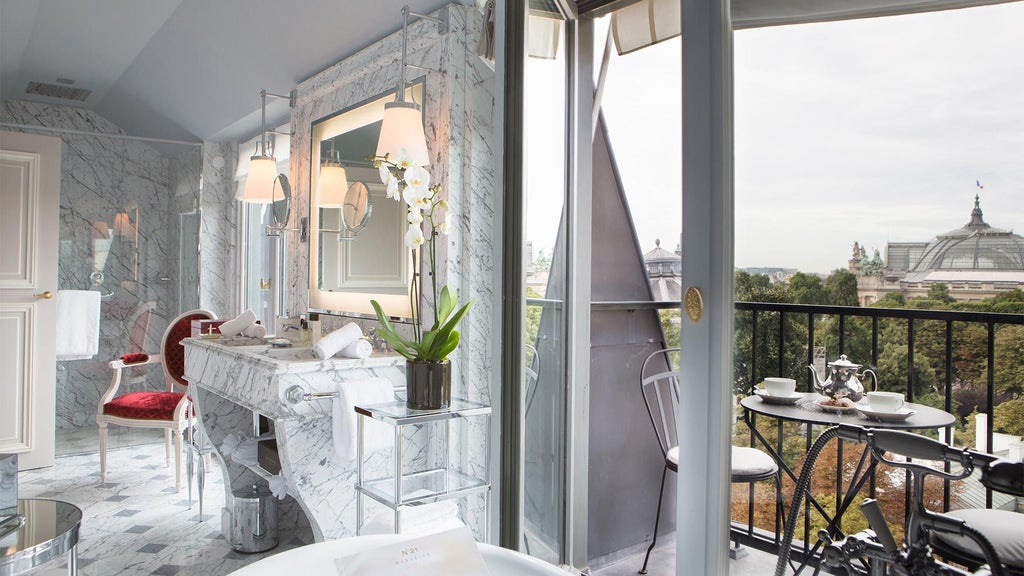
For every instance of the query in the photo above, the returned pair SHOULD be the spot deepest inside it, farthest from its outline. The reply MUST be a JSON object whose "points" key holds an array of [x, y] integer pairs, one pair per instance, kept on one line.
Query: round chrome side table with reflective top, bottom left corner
{"points": [[50, 531]]}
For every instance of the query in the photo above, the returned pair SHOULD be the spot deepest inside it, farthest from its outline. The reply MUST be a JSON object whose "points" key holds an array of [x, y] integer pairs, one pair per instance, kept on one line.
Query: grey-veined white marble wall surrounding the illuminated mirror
{"points": [[459, 112]]}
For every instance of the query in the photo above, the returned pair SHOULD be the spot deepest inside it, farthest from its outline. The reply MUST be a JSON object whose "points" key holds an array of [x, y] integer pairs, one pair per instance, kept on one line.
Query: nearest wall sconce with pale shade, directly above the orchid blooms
{"points": [[403, 124]]}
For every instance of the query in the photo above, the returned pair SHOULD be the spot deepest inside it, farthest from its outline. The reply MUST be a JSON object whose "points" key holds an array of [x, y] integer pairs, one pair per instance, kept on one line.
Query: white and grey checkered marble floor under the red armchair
{"points": [[137, 524]]}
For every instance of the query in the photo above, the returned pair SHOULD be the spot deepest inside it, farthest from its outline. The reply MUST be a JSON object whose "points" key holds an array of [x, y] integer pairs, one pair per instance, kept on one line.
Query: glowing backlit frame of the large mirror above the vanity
{"points": [[399, 308]]}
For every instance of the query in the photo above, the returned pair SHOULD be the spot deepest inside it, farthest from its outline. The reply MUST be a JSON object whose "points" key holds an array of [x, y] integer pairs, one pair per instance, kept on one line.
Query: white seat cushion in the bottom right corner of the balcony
{"points": [[1004, 529]]}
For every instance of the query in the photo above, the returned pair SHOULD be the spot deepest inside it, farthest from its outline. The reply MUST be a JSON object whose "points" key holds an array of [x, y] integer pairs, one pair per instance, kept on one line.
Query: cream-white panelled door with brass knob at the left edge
{"points": [[30, 200]]}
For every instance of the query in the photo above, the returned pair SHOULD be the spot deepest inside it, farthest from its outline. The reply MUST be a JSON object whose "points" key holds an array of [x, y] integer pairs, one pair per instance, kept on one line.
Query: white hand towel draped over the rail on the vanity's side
{"points": [[376, 435]]}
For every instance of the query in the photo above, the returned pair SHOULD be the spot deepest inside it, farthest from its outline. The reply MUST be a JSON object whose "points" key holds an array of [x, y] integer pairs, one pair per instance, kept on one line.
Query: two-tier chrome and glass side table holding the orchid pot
{"points": [[401, 489]]}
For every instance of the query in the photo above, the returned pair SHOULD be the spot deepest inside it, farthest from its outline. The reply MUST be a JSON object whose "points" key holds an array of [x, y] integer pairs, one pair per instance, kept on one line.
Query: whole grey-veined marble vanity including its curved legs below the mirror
{"points": [[232, 380]]}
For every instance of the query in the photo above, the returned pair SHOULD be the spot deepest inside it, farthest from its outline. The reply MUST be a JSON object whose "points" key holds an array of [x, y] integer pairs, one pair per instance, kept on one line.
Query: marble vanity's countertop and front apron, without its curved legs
{"points": [[257, 376]]}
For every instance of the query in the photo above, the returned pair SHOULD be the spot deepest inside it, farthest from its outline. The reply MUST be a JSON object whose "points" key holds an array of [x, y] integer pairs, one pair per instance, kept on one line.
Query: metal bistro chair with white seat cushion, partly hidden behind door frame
{"points": [[660, 388]]}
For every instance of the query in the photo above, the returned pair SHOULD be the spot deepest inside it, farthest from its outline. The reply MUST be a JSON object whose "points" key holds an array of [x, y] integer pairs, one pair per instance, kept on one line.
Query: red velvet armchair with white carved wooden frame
{"points": [[168, 408]]}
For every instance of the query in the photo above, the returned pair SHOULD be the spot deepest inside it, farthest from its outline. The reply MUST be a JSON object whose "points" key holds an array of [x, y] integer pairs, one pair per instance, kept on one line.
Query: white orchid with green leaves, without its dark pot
{"points": [[410, 183]]}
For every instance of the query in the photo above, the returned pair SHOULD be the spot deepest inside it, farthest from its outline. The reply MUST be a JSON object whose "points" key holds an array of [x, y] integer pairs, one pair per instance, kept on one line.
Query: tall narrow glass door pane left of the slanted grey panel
{"points": [[544, 388]]}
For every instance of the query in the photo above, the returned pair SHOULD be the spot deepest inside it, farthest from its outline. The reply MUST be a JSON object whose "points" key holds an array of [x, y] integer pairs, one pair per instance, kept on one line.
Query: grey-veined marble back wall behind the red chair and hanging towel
{"points": [[102, 177]]}
